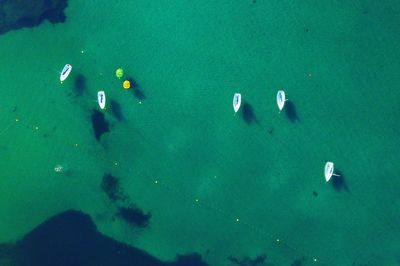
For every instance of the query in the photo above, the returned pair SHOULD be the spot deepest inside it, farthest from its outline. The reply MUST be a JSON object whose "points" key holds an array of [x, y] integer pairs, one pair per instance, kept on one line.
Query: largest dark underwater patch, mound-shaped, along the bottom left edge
{"points": [[71, 238]]}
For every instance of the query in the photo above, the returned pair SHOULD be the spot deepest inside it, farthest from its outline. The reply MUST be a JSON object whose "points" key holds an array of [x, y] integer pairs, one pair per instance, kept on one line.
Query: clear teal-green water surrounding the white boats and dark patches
{"points": [[338, 63]]}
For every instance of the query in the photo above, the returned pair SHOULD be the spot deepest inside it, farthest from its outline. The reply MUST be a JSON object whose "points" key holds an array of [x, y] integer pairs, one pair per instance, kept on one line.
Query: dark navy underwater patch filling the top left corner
{"points": [[27, 13]]}
